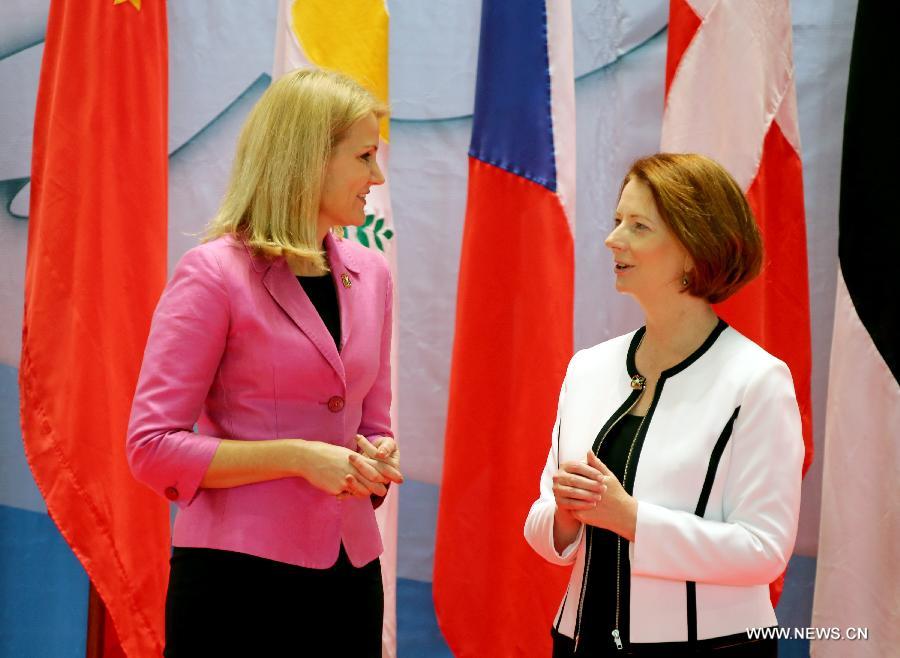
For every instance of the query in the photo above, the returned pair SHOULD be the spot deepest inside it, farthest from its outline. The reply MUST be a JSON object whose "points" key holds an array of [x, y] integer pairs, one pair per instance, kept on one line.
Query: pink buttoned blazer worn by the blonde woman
{"points": [[237, 348]]}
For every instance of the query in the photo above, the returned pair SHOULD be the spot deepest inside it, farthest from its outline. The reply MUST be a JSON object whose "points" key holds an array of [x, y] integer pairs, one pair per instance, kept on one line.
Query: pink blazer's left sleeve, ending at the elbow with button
{"points": [[184, 348]]}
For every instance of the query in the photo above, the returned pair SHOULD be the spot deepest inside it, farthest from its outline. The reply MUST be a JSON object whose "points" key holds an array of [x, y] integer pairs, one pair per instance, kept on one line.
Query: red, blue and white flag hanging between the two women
{"points": [[493, 595]]}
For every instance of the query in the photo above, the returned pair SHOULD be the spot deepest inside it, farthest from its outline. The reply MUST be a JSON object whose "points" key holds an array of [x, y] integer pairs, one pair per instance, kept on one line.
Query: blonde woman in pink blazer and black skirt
{"points": [[273, 337]]}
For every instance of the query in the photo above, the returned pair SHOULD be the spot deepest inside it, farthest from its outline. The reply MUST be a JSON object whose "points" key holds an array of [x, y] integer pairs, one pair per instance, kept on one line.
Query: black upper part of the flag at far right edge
{"points": [[869, 227]]}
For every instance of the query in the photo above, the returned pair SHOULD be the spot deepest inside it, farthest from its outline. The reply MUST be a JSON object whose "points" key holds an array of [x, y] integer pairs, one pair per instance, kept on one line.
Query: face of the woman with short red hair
{"points": [[649, 260]]}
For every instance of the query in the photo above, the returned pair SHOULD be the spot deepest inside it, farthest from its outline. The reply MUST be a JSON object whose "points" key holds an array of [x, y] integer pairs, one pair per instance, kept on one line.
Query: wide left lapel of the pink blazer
{"points": [[288, 294]]}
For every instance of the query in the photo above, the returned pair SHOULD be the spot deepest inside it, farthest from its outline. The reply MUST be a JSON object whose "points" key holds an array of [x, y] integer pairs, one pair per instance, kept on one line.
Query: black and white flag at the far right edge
{"points": [[857, 574]]}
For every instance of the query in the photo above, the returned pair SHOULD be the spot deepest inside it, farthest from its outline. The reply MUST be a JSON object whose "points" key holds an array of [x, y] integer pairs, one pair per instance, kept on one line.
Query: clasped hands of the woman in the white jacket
{"points": [[592, 494]]}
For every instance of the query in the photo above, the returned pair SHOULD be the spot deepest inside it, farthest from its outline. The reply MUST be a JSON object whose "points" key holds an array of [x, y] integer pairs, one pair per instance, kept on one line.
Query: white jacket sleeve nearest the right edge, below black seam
{"points": [[761, 500]]}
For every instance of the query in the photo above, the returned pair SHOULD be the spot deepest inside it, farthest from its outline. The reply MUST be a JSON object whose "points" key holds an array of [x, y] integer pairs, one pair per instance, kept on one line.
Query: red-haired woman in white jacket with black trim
{"points": [[673, 479]]}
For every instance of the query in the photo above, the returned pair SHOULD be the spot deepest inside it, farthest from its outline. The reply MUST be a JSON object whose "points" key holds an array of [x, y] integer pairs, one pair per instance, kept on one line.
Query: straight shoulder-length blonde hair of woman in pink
{"points": [[272, 199]]}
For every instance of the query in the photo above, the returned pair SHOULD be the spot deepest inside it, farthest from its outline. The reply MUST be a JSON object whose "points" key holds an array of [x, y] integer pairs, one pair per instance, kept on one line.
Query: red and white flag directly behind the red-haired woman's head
{"points": [[730, 95]]}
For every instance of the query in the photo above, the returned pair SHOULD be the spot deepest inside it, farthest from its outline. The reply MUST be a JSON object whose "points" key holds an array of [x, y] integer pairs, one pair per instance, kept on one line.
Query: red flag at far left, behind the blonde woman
{"points": [[96, 264]]}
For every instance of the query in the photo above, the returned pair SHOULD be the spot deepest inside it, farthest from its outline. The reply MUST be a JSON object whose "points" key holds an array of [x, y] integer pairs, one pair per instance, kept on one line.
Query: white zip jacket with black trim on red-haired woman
{"points": [[723, 425]]}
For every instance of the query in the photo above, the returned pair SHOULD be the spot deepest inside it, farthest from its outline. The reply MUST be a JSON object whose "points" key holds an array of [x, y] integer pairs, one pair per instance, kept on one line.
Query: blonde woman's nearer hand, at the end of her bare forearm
{"points": [[329, 468]]}
